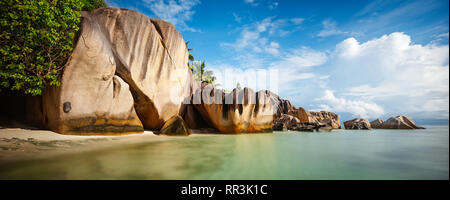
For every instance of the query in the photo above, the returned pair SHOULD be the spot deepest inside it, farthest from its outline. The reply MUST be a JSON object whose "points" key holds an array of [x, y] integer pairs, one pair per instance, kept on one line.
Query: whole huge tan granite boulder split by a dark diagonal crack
{"points": [[125, 69]]}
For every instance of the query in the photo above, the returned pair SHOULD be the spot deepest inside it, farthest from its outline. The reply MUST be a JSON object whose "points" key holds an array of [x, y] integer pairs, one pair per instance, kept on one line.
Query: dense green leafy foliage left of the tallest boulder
{"points": [[36, 40]]}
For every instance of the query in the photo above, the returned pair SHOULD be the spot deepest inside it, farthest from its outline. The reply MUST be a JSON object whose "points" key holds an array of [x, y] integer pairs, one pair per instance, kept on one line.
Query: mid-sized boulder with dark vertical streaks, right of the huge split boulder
{"points": [[240, 111]]}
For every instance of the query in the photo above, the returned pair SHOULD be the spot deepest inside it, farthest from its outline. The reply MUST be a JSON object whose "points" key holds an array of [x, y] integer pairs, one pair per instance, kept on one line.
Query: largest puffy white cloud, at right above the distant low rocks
{"points": [[391, 71]]}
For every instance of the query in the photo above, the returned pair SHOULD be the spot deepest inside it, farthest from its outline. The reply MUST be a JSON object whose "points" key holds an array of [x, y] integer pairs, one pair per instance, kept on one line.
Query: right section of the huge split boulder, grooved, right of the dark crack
{"points": [[150, 55]]}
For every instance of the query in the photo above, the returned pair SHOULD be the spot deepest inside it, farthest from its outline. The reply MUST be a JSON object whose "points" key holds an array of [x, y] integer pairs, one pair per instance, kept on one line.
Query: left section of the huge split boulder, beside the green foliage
{"points": [[91, 98]]}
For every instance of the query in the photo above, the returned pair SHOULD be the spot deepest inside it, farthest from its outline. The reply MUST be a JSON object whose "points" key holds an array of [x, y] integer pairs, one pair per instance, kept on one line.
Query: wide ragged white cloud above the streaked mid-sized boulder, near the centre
{"points": [[285, 72]]}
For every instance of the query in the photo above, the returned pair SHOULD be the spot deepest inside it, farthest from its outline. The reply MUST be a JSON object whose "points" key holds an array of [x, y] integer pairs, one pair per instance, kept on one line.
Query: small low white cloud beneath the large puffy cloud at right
{"points": [[356, 107]]}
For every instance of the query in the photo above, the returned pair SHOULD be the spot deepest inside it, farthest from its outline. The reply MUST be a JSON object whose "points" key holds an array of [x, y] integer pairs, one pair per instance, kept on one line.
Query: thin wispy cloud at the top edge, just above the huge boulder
{"points": [[178, 12]]}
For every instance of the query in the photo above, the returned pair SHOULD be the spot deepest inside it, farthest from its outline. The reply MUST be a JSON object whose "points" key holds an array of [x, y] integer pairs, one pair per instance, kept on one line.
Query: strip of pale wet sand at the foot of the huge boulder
{"points": [[25, 142]]}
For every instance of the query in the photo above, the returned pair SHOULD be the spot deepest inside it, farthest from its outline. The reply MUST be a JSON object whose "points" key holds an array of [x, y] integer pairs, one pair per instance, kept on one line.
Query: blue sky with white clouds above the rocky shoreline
{"points": [[371, 59]]}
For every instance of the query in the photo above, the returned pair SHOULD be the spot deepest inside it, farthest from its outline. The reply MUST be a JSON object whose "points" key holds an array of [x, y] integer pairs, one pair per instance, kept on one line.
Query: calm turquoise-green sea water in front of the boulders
{"points": [[341, 154]]}
